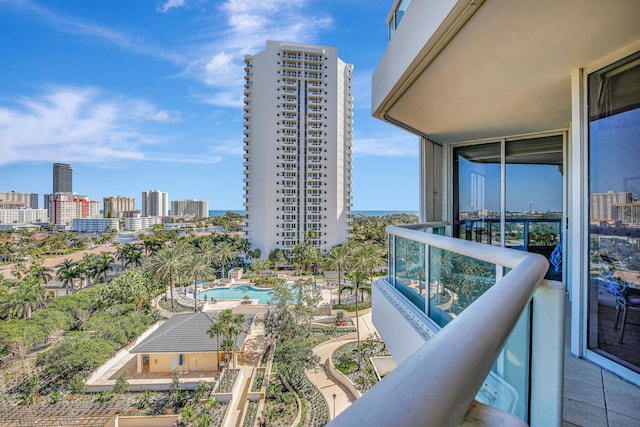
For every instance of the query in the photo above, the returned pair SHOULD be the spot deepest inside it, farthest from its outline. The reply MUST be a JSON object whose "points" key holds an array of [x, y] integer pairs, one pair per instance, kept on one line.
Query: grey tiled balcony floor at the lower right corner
{"points": [[594, 397]]}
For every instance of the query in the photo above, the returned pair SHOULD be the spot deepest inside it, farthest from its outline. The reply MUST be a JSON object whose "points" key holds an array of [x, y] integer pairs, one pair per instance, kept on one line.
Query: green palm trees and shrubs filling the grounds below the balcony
{"points": [[47, 348]]}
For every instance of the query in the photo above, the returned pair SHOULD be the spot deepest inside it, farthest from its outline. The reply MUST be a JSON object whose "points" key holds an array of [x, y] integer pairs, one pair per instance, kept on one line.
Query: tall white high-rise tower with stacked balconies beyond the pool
{"points": [[298, 114]]}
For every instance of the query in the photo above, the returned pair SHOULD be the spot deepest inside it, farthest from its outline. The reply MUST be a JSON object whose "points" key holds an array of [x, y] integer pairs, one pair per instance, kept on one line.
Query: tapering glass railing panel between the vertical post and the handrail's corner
{"points": [[455, 282]]}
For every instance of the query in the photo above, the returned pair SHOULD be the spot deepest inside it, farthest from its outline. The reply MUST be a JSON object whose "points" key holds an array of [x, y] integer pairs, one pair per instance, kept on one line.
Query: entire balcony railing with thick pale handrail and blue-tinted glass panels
{"points": [[465, 321]]}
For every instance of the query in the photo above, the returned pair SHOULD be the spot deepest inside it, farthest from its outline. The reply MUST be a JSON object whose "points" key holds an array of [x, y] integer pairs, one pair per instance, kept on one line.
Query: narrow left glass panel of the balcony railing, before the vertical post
{"points": [[409, 270]]}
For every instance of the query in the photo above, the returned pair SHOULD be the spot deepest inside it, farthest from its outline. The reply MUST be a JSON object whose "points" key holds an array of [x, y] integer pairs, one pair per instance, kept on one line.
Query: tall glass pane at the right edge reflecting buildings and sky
{"points": [[614, 212]]}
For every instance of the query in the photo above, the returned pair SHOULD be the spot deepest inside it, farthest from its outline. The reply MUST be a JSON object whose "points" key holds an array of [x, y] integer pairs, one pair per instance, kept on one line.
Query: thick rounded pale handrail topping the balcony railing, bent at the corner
{"points": [[437, 384]]}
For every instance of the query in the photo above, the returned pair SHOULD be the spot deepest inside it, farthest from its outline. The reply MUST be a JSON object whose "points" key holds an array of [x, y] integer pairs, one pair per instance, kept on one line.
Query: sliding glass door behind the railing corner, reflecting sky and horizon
{"points": [[510, 193]]}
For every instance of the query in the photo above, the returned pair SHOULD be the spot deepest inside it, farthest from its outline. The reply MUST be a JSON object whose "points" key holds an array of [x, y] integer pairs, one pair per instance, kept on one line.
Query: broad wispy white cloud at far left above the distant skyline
{"points": [[77, 125]]}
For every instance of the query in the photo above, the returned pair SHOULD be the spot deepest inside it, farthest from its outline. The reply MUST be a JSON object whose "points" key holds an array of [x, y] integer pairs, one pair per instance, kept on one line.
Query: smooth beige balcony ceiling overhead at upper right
{"points": [[508, 70]]}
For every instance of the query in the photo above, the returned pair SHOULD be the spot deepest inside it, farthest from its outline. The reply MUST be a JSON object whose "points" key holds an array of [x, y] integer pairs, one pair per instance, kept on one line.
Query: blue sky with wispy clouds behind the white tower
{"points": [[140, 95]]}
